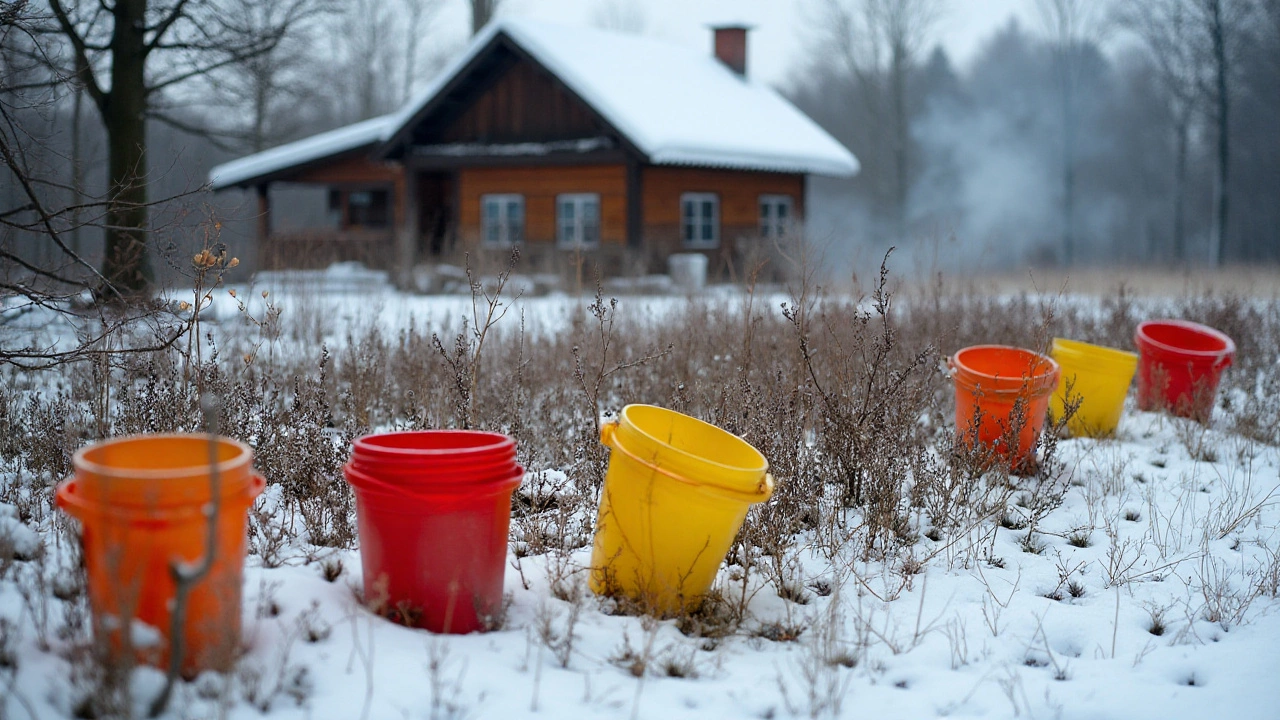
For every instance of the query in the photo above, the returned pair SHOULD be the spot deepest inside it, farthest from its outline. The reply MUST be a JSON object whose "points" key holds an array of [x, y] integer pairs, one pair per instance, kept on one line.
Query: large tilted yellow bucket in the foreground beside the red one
{"points": [[675, 496]]}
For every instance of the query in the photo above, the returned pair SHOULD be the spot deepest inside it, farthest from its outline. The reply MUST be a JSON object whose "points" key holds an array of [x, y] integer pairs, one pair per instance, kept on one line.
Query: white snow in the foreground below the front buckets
{"points": [[968, 642]]}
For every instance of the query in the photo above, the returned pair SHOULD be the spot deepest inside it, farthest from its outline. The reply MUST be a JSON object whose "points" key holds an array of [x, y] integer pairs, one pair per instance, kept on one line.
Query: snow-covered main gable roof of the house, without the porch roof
{"points": [[676, 106]]}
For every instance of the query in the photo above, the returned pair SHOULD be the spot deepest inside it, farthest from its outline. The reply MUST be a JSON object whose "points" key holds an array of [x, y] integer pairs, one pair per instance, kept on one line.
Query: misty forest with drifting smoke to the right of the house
{"points": [[1044, 151]]}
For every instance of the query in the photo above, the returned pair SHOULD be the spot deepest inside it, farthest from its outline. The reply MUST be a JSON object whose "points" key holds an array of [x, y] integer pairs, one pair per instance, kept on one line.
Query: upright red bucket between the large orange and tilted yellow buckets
{"points": [[433, 509]]}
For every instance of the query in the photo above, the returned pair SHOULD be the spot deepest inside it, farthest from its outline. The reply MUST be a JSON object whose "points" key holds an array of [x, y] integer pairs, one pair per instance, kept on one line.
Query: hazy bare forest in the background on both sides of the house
{"points": [[1130, 133]]}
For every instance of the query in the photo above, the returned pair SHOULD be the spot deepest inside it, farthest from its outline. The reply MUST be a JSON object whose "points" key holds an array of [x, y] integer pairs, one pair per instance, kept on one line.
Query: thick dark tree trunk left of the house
{"points": [[126, 263]]}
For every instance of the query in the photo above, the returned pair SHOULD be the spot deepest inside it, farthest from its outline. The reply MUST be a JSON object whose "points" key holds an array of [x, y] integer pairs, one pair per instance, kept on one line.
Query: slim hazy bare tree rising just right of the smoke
{"points": [[1071, 25]]}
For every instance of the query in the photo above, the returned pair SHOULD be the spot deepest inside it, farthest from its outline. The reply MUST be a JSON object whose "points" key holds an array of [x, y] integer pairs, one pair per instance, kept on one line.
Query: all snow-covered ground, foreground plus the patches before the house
{"points": [[1186, 541]]}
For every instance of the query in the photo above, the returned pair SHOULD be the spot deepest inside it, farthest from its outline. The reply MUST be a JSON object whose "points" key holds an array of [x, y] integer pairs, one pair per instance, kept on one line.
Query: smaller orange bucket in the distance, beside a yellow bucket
{"points": [[994, 380]]}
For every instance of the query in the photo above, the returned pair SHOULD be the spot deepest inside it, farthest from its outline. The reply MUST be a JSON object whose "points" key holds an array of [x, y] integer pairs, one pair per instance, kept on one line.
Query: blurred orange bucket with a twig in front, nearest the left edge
{"points": [[141, 502]]}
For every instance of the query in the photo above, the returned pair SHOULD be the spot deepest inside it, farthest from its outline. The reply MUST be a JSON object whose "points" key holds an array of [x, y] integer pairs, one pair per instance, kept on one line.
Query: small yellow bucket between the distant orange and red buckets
{"points": [[1101, 377]]}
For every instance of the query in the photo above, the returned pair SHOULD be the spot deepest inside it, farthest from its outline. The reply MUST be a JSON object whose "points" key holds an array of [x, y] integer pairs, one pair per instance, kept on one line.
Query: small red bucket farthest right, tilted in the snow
{"points": [[1181, 366]]}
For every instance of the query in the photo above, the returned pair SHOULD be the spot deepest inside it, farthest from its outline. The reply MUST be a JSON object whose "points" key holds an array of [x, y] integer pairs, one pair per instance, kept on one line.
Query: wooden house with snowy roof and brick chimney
{"points": [[569, 142]]}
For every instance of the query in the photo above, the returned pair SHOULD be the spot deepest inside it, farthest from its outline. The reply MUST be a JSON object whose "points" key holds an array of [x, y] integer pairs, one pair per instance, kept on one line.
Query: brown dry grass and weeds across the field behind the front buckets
{"points": [[845, 395]]}
